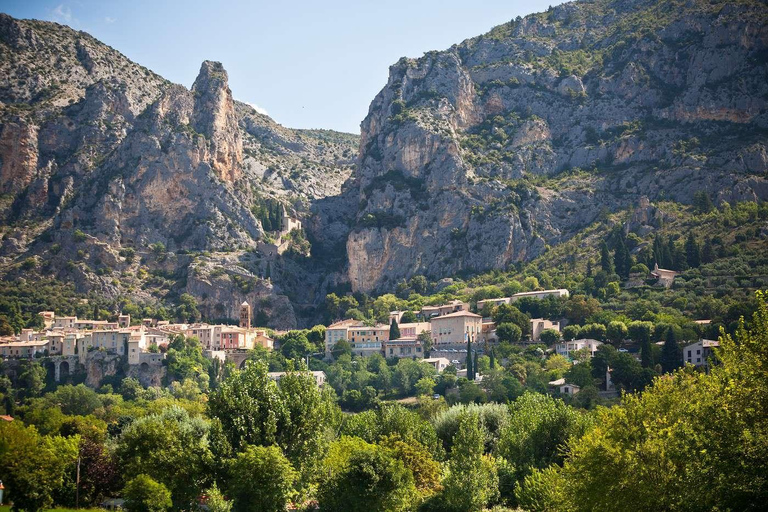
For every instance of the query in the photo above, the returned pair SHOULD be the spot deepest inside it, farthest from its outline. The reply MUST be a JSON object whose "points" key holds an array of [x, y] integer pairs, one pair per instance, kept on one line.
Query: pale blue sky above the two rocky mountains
{"points": [[308, 64]]}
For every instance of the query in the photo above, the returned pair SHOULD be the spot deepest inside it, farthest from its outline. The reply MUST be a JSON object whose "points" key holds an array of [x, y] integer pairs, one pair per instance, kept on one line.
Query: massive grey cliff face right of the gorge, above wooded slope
{"points": [[481, 155]]}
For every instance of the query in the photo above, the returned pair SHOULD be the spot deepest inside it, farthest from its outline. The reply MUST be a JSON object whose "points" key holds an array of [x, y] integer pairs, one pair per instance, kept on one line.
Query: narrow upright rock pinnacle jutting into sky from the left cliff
{"points": [[214, 116]]}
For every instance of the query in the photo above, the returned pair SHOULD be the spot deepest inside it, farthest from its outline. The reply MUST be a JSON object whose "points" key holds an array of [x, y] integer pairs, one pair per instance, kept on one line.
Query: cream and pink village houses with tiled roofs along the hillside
{"points": [[442, 335]]}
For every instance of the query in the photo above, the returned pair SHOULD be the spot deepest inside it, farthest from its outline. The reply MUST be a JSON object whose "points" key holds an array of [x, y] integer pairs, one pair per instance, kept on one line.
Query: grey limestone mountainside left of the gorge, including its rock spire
{"points": [[127, 185]]}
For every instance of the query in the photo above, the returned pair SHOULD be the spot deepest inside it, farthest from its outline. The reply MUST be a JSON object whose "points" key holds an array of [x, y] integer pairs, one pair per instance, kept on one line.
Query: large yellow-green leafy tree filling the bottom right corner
{"points": [[709, 433]]}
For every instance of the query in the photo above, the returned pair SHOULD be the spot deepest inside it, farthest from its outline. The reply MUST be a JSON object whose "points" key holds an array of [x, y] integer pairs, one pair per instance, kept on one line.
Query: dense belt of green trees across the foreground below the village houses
{"points": [[238, 440]]}
